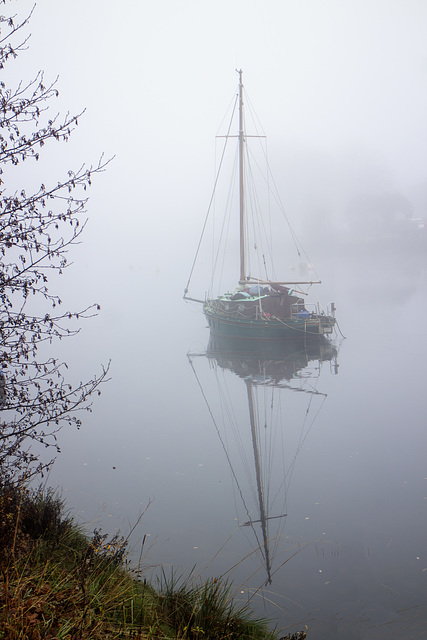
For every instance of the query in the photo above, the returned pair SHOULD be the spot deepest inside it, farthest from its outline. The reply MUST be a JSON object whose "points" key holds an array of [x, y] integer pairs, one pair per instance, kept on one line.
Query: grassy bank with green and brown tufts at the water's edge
{"points": [[56, 583]]}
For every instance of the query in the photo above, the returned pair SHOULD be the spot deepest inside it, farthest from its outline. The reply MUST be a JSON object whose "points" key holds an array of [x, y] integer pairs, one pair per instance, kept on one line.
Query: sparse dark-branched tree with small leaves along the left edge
{"points": [[37, 228]]}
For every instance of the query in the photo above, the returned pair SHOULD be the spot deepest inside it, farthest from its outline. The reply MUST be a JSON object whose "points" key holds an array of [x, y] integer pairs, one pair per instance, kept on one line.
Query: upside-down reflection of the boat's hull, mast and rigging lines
{"points": [[267, 372]]}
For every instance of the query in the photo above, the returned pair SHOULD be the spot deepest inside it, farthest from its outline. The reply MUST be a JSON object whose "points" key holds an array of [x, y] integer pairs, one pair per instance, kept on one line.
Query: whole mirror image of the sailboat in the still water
{"points": [[258, 434]]}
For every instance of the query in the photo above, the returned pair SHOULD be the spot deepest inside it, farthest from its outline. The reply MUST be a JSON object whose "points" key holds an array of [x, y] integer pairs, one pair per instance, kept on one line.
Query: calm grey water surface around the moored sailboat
{"points": [[341, 450]]}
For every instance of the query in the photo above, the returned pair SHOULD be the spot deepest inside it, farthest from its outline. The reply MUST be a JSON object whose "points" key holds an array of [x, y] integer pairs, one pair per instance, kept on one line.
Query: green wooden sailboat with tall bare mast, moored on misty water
{"points": [[259, 308]]}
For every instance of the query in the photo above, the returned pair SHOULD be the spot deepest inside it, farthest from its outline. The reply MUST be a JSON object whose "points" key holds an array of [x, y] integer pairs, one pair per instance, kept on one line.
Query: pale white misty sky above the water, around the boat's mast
{"points": [[340, 87]]}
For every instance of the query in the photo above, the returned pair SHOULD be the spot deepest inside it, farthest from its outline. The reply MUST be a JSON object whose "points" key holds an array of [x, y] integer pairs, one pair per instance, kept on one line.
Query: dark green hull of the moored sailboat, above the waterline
{"points": [[271, 329]]}
